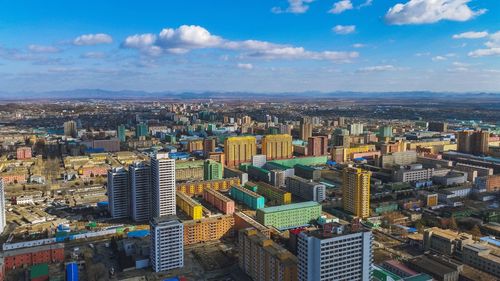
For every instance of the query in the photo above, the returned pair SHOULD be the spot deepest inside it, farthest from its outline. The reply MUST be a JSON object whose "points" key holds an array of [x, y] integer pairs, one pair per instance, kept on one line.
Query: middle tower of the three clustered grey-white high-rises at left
{"points": [[140, 187]]}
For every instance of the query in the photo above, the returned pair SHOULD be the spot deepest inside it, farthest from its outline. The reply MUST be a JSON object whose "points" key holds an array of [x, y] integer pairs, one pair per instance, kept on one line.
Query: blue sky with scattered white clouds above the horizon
{"points": [[260, 46]]}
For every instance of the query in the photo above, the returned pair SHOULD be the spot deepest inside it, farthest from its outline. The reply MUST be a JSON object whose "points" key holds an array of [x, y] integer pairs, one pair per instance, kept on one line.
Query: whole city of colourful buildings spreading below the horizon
{"points": [[231, 189]]}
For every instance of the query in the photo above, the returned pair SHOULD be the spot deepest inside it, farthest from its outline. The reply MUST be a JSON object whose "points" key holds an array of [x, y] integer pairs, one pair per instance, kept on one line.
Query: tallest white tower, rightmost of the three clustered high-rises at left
{"points": [[162, 185]]}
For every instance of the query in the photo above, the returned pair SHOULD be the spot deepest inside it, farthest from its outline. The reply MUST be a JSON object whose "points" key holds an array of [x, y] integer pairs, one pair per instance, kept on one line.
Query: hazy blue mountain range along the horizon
{"points": [[99, 94]]}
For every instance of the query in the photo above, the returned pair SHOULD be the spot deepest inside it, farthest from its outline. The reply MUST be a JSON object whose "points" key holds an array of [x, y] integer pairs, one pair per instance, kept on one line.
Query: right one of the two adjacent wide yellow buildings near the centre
{"points": [[277, 146]]}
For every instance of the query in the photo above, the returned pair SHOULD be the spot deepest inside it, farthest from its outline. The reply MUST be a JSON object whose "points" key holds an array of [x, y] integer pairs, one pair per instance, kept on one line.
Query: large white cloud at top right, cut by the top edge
{"points": [[431, 11]]}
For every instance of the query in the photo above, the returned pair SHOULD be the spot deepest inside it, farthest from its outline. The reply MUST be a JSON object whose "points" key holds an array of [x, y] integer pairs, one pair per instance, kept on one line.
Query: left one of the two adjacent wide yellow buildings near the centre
{"points": [[239, 150]]}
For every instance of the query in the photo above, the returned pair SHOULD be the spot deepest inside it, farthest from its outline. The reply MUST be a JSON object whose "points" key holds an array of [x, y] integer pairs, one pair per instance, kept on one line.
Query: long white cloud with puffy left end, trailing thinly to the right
{"points": [[186, 38]]}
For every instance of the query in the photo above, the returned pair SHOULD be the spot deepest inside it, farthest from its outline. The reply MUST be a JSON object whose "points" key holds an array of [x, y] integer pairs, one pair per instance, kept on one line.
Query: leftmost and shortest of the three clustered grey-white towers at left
{"points": [[118, 193]]}
